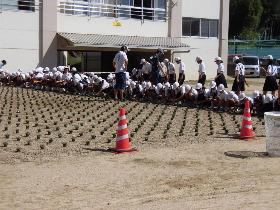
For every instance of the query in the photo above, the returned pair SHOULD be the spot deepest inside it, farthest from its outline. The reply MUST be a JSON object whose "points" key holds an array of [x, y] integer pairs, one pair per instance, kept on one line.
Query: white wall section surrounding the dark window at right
{"points": [[207, 48]]}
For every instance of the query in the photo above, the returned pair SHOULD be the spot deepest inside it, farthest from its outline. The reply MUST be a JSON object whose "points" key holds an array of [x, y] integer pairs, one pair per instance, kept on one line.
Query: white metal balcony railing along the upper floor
{"points": [[94, 9]]}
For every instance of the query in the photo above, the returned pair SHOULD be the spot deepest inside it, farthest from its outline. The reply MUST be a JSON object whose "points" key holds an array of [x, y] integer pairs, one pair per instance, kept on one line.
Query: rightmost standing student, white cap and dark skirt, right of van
{"points": [[270, 83]]}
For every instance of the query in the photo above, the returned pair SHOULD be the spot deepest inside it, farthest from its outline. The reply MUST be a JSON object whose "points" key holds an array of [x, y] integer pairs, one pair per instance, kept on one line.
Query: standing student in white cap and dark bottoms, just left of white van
{"points": [[239, 81]]}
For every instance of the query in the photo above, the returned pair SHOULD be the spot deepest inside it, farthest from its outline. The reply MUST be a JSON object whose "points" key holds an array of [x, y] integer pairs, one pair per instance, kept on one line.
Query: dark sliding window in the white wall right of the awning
{"points": [[199, 27]]}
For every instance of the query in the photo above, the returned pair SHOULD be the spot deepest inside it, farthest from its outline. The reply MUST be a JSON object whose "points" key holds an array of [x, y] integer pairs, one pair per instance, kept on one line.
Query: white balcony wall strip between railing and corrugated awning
{"points": [[104, 25]]}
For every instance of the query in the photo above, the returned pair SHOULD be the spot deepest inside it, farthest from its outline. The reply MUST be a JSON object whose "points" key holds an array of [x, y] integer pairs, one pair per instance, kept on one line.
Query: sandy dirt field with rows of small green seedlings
{"points": [[52, 156]]}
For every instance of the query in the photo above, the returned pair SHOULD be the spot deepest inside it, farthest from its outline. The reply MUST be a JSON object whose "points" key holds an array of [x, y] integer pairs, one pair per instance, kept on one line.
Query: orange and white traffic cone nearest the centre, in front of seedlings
{"points": [[122, 140]]}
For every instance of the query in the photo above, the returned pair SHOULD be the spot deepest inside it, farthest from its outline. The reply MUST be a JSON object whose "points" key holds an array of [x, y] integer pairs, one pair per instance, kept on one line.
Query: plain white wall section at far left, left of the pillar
{"points": [[19, 39]]}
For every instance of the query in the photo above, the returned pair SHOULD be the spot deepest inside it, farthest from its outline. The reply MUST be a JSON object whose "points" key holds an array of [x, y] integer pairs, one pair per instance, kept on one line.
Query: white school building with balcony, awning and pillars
{"points": [[88, 33]]}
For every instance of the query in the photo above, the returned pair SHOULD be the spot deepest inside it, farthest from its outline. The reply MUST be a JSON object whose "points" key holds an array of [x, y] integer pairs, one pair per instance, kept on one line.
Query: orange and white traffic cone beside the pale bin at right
{"points": [[247, 127]]}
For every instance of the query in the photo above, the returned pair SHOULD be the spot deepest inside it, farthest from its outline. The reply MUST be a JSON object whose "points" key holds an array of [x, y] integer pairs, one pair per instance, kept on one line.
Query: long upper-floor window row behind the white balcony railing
{"points": [[137, 9]]}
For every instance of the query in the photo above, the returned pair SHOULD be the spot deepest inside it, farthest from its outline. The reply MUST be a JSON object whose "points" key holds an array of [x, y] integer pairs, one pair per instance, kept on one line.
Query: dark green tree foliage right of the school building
{"points": [[250, 19]]}
